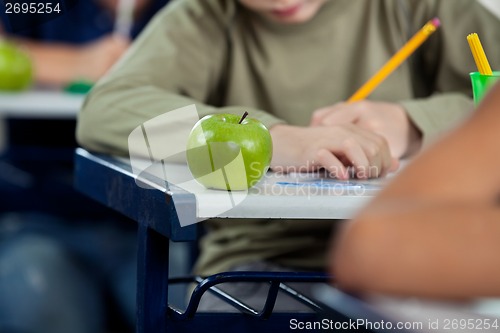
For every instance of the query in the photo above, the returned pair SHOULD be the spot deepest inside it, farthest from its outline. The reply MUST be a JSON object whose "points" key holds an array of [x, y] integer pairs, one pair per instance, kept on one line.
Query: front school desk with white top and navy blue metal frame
{"points": [[112, 182]]}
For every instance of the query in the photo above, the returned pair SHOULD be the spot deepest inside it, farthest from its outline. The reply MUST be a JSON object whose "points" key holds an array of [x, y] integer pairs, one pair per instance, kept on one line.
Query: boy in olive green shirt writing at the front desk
{"points": [[289, 64]]}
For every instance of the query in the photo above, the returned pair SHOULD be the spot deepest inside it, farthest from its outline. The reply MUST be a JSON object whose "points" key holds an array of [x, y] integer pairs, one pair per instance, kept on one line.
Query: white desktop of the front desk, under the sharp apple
{"points": [[278, 196]]}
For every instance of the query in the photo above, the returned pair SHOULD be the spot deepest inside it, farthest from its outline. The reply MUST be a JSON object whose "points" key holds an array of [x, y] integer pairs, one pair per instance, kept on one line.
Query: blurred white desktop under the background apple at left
{"points": [[40, 104]]}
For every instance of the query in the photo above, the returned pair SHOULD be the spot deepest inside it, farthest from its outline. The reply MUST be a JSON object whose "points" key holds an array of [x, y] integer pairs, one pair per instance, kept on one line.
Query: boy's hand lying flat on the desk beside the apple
{"points": [[334, 148]]}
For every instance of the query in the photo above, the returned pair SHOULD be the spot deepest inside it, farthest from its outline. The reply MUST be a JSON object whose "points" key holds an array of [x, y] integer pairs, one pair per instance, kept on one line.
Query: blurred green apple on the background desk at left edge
{"points": [[16, 69]]}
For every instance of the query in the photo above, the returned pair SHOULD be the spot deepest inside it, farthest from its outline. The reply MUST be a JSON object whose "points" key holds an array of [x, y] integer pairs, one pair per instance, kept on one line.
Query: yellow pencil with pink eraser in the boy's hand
{"points": [[396, 60]]}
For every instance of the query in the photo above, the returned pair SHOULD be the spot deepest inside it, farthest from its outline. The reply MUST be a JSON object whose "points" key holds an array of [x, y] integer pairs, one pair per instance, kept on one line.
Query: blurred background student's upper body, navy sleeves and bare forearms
{"points": [[82, 43]]}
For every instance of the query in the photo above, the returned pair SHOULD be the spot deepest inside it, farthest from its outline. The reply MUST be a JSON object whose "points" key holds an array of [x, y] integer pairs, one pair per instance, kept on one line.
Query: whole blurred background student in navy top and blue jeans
{"points": [[66, 263]]}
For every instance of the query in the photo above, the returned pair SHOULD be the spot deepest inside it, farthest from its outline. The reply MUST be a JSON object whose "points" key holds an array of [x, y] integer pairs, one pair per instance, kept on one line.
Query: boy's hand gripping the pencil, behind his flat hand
{"points": [[387, 119]]}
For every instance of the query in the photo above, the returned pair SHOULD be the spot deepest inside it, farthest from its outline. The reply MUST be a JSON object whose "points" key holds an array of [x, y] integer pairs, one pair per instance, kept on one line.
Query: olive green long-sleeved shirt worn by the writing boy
{"points": [[225, 58]]}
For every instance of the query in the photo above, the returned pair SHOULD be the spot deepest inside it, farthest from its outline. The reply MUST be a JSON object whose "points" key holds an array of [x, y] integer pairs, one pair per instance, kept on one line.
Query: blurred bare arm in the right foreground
{"points": [[434, 231]]}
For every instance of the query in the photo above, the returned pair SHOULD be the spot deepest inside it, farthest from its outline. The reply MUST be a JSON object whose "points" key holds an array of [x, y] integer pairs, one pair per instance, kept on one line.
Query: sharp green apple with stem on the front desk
{"points": [[229, 152]]}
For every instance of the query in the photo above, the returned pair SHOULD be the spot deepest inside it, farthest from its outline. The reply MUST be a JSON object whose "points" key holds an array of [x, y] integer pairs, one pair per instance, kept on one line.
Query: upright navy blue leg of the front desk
{"points": [[152, 281]]}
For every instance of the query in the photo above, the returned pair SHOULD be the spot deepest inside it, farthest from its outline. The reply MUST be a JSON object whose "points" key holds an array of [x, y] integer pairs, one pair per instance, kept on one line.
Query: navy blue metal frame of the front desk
{"points": [[111, 182]]}
